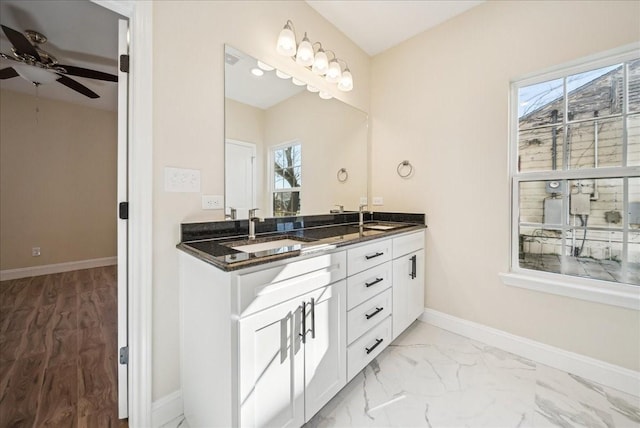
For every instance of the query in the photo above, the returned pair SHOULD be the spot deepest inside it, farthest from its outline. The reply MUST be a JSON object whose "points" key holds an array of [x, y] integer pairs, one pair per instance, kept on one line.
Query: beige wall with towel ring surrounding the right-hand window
{"points": [[441, 101]]}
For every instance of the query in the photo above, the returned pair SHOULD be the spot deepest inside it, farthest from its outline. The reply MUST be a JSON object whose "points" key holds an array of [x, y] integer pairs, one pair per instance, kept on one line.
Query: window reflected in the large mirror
{"points": [[286, 179]]}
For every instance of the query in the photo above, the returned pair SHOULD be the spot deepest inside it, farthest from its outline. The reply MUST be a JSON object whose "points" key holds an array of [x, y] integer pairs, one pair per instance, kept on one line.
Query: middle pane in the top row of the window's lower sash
{"points": [[596, 203]]}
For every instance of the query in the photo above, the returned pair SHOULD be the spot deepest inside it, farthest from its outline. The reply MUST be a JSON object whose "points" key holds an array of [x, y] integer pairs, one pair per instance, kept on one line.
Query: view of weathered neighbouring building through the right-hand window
{"points": [[575, 173]]}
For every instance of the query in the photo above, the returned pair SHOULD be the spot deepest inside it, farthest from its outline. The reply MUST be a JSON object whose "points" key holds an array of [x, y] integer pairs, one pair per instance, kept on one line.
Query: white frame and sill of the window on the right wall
{"points": [[617, 294]]}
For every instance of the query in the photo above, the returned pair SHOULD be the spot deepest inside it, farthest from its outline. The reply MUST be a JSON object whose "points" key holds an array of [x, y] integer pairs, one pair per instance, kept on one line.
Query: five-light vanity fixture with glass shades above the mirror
{"points": [[312, 56]]}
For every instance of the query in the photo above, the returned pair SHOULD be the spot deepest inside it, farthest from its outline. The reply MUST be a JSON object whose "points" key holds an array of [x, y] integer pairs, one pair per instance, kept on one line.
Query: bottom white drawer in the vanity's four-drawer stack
{"points": [[362, 351]]}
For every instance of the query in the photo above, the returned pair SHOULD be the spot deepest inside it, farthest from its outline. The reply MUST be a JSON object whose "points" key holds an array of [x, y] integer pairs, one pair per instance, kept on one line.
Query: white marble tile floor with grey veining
{"points": [[430, 377]]}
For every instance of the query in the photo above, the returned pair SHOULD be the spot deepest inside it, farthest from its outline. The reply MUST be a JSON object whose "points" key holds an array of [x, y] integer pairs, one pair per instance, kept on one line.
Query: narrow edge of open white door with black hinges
{"points": [[123, 242]]}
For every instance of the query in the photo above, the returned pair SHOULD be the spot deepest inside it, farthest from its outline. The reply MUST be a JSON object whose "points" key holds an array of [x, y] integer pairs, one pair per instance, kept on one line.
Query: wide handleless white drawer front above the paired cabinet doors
{"points": [[264, 288]]}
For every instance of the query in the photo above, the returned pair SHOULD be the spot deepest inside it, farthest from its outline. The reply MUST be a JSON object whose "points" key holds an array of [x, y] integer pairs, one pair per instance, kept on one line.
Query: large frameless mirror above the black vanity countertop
{"points": [[288, 151]]}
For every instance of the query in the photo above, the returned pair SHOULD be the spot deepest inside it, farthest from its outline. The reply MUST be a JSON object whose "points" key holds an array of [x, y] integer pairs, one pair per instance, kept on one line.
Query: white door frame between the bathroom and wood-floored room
{"points": [[140, 276]]}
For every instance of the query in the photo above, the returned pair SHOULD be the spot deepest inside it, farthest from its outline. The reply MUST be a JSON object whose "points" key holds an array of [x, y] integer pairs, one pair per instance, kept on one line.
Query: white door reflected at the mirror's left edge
{"points": [[240, 177]]}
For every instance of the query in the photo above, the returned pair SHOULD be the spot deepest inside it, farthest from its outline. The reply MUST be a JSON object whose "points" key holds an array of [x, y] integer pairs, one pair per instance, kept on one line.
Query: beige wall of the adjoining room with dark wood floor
{"points": [[57, 181]]}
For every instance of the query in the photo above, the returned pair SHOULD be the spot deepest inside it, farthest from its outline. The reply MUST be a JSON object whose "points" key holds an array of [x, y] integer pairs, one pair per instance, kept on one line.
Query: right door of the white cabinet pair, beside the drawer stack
{"points": [[326, 348]]}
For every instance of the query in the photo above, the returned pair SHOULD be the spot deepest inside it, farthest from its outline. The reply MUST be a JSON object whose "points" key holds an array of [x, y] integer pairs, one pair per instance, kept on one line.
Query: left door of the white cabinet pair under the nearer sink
{"points": [[271, 369]]}
